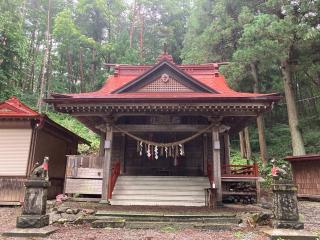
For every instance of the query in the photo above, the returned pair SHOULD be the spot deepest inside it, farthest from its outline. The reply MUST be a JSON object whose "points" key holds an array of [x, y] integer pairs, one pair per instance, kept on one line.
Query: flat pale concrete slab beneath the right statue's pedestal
{"points": [[289, 234]]}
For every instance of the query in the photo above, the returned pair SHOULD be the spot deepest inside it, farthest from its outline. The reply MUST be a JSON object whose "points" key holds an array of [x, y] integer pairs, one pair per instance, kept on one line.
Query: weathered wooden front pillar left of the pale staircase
{"points": [[107, 160]]}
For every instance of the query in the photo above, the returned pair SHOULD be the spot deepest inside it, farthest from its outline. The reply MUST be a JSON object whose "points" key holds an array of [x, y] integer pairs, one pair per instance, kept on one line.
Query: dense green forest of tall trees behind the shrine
{"points": [[270, 46]]}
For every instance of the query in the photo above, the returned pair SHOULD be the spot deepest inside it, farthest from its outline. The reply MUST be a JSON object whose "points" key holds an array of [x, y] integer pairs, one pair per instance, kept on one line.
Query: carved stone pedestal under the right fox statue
{"points": [[285, 205]]}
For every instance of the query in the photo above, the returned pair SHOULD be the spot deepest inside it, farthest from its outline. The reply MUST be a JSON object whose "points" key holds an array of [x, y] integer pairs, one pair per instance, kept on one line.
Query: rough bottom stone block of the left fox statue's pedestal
{"points": [[32, 221]]}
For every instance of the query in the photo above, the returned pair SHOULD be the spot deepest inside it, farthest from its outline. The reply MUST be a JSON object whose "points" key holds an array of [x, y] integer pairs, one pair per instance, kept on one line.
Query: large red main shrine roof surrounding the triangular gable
{"points": [[206, 74]]}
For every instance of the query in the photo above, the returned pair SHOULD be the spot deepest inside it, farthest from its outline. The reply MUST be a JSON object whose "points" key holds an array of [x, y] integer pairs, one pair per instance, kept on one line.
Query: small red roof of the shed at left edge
{"points": [[14, 108]]}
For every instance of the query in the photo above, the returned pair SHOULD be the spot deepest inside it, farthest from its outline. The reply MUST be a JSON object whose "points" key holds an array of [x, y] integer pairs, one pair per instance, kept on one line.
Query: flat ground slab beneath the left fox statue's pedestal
{"points": [[30, 232]]}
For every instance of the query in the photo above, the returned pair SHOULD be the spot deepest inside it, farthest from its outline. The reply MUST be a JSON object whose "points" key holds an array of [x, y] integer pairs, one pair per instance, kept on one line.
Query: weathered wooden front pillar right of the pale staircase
{"points": [[216, 164]]}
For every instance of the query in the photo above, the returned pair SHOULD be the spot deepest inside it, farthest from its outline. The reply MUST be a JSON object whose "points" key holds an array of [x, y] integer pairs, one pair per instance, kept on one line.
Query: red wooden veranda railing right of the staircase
{"points": [[240, 170]]}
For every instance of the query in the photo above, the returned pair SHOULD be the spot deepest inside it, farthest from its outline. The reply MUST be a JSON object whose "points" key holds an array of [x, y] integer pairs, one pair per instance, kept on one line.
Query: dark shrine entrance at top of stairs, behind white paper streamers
{"points": [[184, 160]]}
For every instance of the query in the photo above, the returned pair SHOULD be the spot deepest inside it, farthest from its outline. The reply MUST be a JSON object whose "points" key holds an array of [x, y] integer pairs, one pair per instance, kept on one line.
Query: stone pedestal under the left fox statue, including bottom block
{"points": [[35, 203]]}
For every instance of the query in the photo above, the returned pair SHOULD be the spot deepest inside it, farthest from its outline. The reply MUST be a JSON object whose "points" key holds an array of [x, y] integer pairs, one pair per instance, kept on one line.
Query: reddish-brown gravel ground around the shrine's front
{"points": [[309, 210]]}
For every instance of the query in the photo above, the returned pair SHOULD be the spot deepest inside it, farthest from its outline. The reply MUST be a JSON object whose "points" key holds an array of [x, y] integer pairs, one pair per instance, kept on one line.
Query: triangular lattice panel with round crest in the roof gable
{"points": [[165, 84]]}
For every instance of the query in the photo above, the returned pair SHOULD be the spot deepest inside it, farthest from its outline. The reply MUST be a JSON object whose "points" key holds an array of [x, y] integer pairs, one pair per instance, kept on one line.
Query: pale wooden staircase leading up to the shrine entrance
{"points": [[160, 190]]}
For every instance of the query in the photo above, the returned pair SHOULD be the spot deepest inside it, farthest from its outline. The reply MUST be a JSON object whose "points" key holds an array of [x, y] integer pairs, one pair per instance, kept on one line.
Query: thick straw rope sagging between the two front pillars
{"points": [[165, 144]]}
